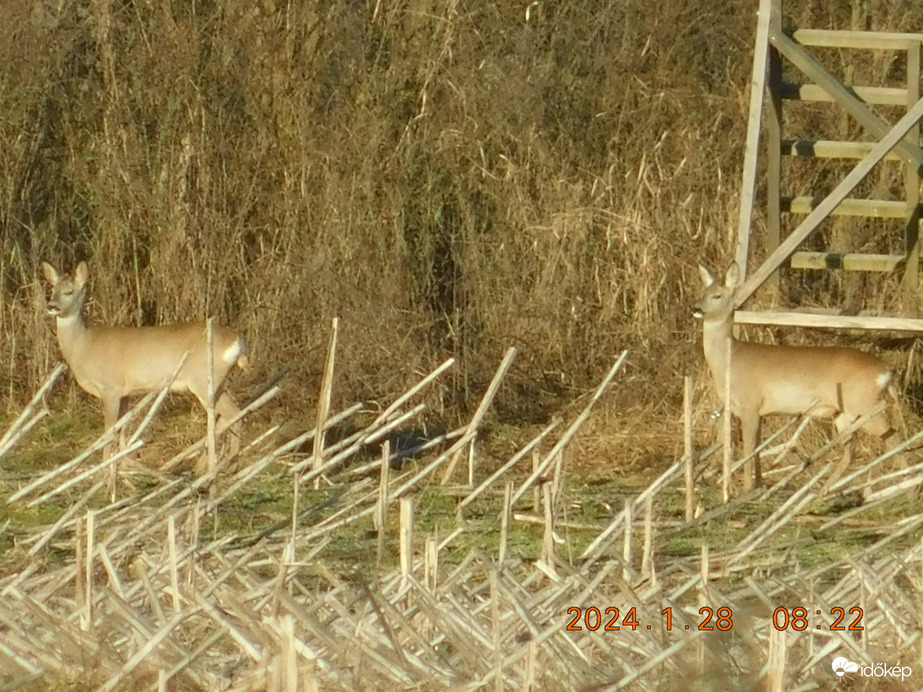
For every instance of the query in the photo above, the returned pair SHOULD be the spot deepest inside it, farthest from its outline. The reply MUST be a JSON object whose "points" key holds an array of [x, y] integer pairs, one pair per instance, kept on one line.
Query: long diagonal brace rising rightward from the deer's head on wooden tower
{"points": [[822, 210]]}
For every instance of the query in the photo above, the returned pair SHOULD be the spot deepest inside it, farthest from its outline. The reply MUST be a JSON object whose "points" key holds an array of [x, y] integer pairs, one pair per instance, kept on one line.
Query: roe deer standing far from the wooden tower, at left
{"points": [[113, 363]]}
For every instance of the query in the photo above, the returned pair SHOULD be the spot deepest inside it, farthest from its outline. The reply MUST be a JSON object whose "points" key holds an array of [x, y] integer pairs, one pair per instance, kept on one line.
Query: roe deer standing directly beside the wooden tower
{"points": [[823, 382]]}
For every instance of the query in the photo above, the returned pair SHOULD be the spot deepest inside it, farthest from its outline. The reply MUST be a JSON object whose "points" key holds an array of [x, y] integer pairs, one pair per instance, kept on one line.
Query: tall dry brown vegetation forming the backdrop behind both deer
{"points": [[447, 178]]}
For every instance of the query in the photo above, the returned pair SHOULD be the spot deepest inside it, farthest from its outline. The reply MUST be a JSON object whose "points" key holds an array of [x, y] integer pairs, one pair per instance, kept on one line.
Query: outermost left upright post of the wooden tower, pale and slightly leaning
{"points": [[757, 86]]}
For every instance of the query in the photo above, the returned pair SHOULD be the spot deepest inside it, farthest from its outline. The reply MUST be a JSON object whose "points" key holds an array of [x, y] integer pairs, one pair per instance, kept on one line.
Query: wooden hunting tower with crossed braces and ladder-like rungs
{"points": [[899, 142]]}
